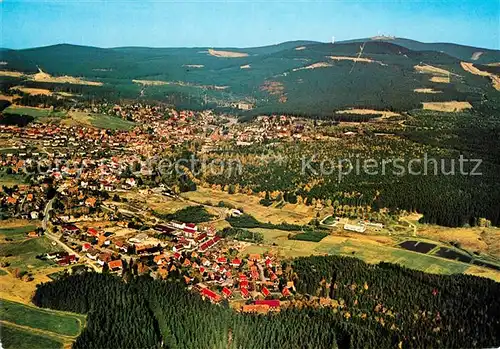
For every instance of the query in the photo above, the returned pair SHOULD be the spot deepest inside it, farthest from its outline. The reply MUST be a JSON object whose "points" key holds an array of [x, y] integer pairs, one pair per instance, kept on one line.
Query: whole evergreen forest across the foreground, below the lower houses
{"points": [[370, 306]]}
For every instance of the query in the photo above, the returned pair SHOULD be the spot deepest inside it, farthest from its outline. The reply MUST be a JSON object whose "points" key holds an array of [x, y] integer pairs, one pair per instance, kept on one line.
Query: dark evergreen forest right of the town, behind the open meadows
{"points": [[439, 191]]}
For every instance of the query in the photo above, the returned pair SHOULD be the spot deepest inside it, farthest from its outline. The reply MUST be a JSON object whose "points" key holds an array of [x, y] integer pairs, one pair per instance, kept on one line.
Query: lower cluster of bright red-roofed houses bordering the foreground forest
{"points": [[206, 262]]}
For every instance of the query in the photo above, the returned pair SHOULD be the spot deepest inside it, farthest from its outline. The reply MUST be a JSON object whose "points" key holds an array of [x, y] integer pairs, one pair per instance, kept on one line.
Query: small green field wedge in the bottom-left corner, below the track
{"points": [[15, 338]]}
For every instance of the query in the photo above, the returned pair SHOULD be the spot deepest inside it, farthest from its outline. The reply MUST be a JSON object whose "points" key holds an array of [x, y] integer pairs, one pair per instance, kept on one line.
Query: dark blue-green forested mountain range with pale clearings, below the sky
{"points": [[297, 77]]}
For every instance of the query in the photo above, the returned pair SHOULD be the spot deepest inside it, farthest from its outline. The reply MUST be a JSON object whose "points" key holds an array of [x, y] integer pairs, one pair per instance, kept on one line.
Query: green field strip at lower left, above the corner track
{"points": [[56, 322]]}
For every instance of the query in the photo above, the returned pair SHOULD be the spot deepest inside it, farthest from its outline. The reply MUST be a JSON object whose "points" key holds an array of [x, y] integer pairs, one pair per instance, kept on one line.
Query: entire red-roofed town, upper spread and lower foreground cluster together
{"points": [[85, 164]]}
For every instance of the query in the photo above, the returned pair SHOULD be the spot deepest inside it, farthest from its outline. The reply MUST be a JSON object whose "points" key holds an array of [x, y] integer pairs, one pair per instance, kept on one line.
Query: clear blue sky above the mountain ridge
{"points": [[185, 23]]}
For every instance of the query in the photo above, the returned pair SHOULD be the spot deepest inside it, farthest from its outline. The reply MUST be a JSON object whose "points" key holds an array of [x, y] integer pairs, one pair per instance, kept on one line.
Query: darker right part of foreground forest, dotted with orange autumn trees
{"points": [[447, 311]]}
